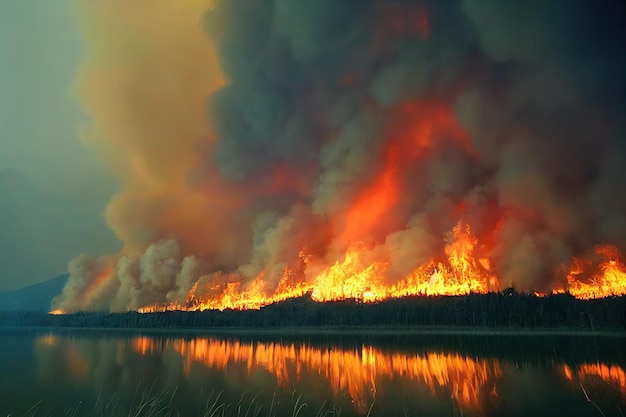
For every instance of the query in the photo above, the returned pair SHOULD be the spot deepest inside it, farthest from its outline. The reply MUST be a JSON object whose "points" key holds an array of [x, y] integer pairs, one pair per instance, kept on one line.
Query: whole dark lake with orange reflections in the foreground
{"points": [[106, 373]]}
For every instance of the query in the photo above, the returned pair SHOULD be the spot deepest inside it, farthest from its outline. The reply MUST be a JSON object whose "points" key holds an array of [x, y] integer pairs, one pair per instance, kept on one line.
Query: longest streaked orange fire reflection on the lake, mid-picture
{"points": [[353, 372]]}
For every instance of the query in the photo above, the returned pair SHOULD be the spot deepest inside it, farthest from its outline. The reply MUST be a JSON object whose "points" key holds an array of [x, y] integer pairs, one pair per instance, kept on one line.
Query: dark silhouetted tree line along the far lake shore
{"points": [[504, 309]]}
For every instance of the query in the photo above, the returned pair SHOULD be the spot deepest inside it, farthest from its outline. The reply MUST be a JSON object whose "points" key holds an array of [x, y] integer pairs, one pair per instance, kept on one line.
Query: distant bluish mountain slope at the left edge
{"points": [[35, 297]]}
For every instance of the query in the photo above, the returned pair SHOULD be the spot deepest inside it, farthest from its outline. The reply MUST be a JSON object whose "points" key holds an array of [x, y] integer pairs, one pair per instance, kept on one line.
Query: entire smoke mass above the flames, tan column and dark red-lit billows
{"points": [[287, 132]]}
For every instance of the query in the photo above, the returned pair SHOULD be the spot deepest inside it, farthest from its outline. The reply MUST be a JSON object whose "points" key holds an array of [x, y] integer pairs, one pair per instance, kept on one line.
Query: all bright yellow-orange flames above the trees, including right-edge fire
{"points": [[360, 275]]}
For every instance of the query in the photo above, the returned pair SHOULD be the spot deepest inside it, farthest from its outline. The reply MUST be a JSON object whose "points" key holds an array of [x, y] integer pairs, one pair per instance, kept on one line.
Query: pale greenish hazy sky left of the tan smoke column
{"points": [[52, 188]]}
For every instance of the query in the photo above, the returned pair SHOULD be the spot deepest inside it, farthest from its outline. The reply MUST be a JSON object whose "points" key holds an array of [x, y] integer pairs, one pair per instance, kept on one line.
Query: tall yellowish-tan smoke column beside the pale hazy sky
{"points": [[145, 79]]}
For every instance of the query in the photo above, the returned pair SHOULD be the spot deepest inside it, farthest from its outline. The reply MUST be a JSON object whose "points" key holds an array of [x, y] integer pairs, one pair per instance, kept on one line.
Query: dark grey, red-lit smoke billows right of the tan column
{"points": [[506, 116]]}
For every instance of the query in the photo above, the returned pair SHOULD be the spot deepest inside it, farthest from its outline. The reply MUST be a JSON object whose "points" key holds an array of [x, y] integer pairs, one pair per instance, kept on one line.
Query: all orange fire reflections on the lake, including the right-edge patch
{"points": [[362, 375]]}
